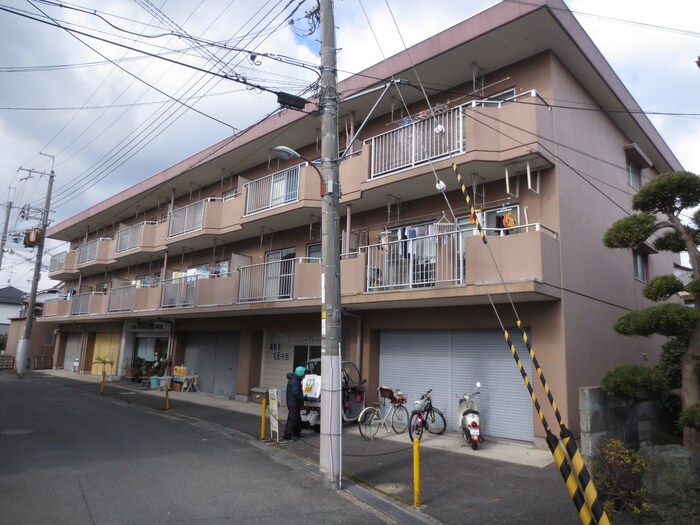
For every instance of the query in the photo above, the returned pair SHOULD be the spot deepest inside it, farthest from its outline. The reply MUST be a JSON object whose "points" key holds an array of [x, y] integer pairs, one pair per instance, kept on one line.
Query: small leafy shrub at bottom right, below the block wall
{"points": [[617, 472]]}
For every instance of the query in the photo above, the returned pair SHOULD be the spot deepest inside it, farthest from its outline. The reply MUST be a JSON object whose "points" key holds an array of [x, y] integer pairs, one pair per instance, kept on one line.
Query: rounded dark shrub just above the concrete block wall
{"points": [[634, 382]]}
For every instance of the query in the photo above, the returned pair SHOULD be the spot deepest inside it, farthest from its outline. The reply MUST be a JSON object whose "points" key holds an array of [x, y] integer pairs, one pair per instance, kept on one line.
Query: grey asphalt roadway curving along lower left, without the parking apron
{"points": [[74, 457]]}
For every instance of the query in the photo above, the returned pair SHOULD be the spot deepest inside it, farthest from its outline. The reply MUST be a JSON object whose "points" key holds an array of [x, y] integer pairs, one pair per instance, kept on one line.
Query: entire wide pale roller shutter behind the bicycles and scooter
{"points": [[451, 362]]}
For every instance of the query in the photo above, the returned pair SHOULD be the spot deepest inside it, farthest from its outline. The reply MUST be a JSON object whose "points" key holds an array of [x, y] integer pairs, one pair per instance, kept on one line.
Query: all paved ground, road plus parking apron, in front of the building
{"points": [[69, 455]]}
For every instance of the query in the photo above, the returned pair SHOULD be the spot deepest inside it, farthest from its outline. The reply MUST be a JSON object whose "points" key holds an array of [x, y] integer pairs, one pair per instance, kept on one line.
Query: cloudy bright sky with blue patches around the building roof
{"points": [[108, 113]]}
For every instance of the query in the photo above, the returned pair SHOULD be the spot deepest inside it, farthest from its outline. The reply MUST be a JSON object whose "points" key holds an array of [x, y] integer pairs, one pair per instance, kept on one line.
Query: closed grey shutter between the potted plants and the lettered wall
{"points": [[213, 357]]}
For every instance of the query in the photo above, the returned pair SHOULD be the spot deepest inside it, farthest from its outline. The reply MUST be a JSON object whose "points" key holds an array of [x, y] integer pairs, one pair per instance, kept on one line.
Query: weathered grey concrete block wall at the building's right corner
{"points": [[603, 416]]}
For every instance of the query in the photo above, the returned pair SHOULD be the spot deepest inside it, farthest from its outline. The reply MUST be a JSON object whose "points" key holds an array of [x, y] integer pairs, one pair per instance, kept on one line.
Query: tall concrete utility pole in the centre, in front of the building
{"points": [[330, 457]]}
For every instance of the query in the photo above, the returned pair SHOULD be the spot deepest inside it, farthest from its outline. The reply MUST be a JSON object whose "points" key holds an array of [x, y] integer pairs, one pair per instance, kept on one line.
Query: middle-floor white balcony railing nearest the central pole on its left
{"points": [[268, 281]]}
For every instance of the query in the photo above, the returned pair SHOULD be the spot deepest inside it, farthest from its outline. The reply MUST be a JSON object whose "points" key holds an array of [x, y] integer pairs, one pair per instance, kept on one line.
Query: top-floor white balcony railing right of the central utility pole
{"points": [[416, 142]]}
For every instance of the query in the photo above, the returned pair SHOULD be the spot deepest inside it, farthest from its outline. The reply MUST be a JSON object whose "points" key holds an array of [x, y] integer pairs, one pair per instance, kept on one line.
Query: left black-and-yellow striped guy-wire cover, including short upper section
{"points": [[560, 458]]}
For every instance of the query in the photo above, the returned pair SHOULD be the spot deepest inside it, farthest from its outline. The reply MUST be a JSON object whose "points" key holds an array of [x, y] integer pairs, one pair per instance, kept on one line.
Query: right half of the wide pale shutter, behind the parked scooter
{"points": [[504, 402]]}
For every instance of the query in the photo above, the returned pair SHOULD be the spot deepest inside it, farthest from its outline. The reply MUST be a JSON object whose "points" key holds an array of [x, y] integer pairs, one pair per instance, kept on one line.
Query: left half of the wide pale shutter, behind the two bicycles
{"points": [[414, 362]]}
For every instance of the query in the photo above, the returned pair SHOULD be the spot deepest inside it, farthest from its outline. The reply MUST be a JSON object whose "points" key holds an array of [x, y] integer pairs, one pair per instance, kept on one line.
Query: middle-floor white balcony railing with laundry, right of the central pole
{"points": [[417, 262]]}
